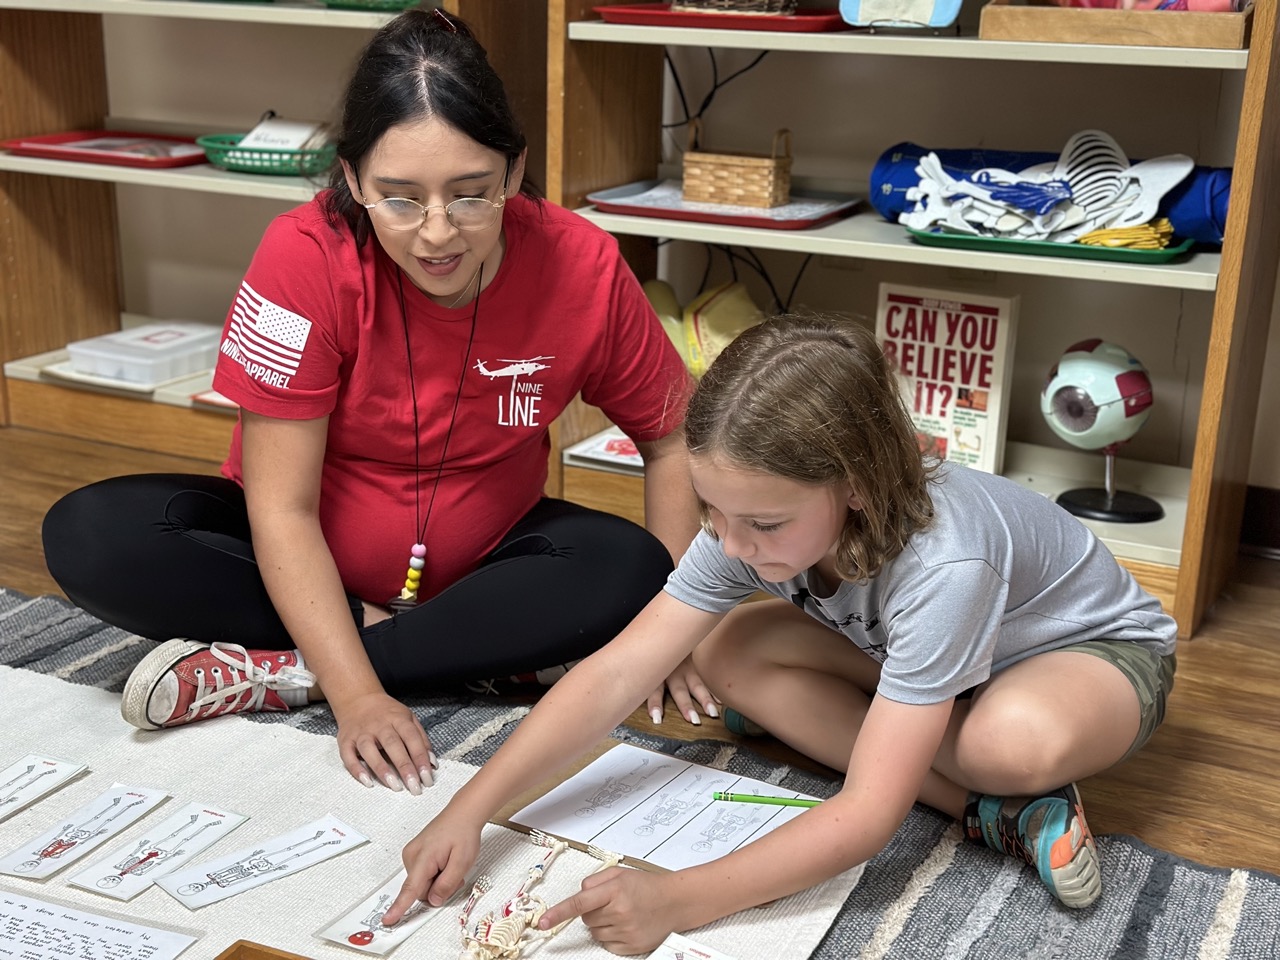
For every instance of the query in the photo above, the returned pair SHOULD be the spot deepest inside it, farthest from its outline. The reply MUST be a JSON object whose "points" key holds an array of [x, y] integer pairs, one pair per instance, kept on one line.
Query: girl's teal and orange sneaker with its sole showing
{"points": [[1049, 833]]}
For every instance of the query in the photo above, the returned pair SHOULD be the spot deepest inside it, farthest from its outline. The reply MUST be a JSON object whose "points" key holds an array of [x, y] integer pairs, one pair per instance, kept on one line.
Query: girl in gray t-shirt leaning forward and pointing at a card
{"points": [[940, 634]]}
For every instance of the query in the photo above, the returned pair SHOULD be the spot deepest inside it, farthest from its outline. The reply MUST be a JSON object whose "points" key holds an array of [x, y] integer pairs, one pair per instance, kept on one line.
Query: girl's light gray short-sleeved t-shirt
{"points": [[1000, 575]]}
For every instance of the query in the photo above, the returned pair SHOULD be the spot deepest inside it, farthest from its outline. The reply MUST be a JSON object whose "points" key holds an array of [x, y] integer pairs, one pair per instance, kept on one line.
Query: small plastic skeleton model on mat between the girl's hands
{"points": [[505, 935]]}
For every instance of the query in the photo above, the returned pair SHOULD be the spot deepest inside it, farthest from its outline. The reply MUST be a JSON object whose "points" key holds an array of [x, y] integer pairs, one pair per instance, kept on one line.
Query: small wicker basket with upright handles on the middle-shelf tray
{"points": [[743, 180]]}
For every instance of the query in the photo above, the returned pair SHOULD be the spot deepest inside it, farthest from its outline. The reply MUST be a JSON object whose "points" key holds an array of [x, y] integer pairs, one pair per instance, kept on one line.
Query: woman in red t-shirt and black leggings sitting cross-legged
{"points": [[399, 349]]}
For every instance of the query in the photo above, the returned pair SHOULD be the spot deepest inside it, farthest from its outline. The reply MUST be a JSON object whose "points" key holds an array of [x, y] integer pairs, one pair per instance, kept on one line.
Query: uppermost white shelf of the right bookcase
{"points": [[899, 45]]}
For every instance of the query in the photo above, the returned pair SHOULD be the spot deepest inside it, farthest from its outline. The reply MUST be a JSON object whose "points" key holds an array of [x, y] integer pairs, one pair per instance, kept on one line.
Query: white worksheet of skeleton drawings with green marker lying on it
{"points": [[657, 808]]}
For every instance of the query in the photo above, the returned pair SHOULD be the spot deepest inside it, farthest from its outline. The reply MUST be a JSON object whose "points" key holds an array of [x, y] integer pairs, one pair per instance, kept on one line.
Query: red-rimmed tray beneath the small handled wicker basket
{"points": [[661, 199]]}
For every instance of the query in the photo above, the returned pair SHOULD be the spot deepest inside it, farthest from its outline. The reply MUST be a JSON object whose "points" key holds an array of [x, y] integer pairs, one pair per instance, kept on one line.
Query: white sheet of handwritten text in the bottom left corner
{"points": [[35, 930]]}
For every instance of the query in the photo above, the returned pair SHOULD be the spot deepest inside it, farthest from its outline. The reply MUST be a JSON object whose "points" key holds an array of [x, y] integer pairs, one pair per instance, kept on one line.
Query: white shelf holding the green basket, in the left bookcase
{"points": [[199, 177]]}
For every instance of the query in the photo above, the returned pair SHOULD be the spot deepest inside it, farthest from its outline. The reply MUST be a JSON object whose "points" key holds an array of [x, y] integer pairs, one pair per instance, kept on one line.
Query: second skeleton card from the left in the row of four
{"points": [[83, 831]]}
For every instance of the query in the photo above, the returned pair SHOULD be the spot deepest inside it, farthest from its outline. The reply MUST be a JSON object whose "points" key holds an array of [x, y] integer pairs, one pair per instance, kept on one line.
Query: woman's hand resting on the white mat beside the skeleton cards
{"points": [[380, 739]]}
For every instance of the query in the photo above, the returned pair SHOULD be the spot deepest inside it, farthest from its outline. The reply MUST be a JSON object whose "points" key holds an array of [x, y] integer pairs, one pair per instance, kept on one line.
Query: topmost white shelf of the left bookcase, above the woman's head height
{"points": [[304, 13]]}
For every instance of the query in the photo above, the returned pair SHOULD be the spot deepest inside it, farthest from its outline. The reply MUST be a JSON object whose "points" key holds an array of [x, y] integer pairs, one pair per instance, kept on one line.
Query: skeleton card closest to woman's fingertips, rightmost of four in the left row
{"points": [[267, 861]]}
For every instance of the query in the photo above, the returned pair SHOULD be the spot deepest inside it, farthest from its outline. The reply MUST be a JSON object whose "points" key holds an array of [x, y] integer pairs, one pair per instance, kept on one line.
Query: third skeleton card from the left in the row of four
{"points": [[135, 866]]}
